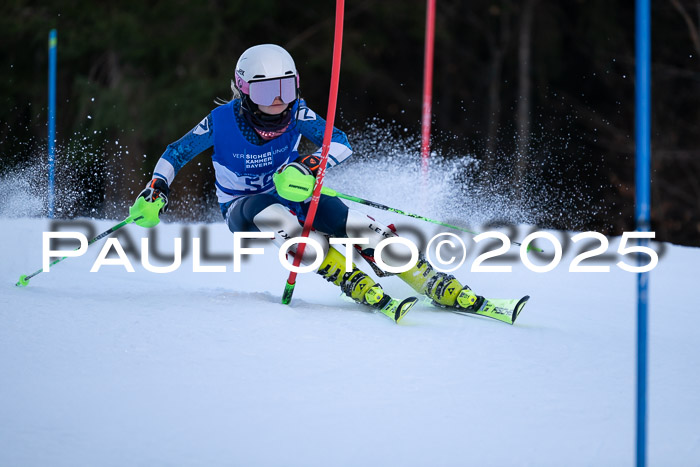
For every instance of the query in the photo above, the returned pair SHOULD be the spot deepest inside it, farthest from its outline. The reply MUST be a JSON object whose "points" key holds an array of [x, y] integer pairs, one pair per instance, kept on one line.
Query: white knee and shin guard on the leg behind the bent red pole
{"points": [[285, 226]]}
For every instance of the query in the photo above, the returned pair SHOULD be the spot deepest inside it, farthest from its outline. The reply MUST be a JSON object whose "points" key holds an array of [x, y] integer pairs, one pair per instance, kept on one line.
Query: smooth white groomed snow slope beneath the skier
{"points": [[189, 369]]}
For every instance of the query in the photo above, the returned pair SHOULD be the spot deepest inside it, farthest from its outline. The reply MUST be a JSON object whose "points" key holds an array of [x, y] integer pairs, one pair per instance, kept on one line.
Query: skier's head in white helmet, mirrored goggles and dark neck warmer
{"points": [[264, 72]]}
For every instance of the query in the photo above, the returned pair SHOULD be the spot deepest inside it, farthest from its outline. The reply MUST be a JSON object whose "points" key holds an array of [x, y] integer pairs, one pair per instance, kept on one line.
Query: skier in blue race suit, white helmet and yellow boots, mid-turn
{"points": [[255, 136]]}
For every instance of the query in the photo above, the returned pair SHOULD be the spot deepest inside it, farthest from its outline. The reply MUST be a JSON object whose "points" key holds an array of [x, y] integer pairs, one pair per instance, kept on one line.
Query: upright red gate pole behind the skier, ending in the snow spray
{"points": [[427, 87]]}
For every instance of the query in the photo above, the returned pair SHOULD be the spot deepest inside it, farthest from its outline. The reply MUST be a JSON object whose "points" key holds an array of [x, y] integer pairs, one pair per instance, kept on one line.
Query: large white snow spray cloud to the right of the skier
{"points": [[468, 186]]}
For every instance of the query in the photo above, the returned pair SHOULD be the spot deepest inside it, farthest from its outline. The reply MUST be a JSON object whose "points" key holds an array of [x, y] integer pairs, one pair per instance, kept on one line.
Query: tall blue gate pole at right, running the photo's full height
{"points": [[642, 210]]}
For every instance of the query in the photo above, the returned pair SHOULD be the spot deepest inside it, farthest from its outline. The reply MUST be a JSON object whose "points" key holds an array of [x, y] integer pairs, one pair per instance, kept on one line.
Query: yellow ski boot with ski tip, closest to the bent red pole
{"points": [[361, 288]]}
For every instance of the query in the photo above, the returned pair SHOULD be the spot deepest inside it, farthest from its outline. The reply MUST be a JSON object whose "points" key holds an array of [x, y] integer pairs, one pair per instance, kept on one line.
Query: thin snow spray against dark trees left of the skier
{"points": [[95, 176]]}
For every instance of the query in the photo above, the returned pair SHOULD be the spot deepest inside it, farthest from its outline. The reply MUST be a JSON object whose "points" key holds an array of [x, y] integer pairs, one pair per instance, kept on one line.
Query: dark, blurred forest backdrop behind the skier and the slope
{"points": [[514, 82]]}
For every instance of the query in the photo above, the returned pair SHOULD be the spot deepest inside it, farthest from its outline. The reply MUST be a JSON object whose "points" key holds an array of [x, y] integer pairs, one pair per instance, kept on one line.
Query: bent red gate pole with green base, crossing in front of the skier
{"points": [[328, 133]]}
